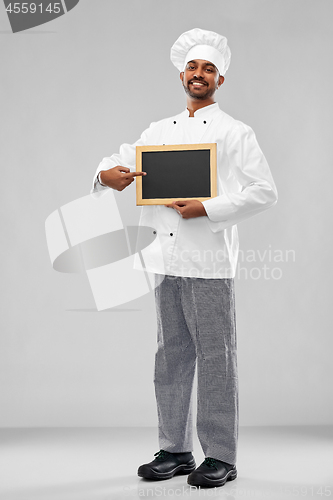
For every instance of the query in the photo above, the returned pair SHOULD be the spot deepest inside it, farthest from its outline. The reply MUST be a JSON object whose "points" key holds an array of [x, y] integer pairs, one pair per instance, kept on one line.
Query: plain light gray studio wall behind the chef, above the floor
{"points": [[72, 91]]}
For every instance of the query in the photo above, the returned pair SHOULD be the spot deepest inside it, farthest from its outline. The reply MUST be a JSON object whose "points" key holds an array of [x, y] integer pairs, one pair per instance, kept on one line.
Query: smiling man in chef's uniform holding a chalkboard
{"points": [[195, 302]]}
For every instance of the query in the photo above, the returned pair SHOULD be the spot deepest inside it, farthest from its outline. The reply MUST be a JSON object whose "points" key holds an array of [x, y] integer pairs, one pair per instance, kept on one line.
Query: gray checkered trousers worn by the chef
{"points": [[196, 326]]}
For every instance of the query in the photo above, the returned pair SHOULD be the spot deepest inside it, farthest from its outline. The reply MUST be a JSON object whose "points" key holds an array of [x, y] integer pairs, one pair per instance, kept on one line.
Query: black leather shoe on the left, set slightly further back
{"points": [[167, 465]]}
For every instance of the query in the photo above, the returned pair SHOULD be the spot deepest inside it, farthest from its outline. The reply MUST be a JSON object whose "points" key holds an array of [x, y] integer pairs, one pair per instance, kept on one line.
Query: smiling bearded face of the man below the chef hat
{"points": [[201, 79]]}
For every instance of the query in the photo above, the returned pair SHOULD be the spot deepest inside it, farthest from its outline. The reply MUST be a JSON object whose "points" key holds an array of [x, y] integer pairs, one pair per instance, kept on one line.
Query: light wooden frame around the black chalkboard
{"points": [[175, 172]]}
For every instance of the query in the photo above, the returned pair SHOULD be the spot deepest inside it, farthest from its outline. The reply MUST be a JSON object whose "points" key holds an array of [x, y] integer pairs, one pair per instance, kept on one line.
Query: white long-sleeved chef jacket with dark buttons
{"points": [[207, 246]]}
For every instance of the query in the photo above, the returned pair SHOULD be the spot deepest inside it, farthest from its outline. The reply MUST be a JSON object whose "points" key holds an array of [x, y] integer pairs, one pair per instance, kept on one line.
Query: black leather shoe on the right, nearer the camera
{"points": [[212, 473]]}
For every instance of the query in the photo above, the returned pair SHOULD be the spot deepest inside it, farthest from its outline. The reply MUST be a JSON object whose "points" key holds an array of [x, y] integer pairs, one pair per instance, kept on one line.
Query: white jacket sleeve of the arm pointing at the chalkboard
{"points": [[126, 158]]}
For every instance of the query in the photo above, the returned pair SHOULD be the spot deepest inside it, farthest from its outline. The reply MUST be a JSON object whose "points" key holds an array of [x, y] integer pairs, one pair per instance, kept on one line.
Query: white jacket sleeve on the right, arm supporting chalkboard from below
{"points": [[246, 185]]}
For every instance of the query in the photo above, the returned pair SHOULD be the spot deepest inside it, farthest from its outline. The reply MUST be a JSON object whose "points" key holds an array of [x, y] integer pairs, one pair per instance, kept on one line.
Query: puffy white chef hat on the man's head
{"points": [[201, 44]]}
